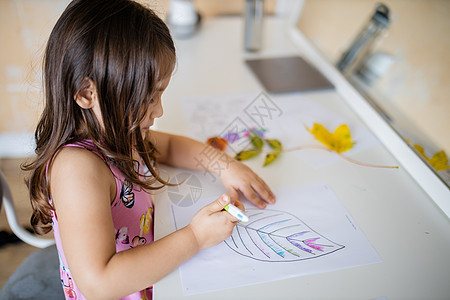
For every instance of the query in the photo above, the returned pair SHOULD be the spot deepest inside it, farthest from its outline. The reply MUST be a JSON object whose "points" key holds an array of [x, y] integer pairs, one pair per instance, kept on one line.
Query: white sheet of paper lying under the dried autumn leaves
{"points": [[284, 117]]}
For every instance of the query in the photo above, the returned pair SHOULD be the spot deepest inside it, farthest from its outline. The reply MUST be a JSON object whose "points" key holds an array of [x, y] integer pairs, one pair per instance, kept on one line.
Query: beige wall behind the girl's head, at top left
{"points": [[24, 28]]}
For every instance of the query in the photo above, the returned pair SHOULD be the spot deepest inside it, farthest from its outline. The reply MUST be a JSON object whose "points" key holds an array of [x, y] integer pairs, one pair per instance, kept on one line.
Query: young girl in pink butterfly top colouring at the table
{"points": [[106, 65]]}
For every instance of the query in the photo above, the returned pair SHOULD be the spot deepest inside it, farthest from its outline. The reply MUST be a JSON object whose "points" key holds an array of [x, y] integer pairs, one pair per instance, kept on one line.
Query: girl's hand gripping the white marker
{"points": [[212, 225]]}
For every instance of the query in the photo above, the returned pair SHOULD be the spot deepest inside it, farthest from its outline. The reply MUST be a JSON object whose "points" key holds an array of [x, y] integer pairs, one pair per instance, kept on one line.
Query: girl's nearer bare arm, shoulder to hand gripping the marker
{"points": [[82, 189]]}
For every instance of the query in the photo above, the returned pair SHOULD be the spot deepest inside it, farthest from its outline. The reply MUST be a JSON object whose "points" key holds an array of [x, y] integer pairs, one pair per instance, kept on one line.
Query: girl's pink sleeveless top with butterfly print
{"points": [[132, 213]]}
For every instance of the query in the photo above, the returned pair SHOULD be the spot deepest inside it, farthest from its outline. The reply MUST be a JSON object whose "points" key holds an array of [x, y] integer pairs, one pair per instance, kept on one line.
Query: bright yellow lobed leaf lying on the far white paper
{"points": [[339, 141]]}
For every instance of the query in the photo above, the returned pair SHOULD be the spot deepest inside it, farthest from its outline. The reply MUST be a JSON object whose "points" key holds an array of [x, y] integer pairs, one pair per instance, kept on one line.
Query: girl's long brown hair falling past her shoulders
{"points": [[126, 50]]}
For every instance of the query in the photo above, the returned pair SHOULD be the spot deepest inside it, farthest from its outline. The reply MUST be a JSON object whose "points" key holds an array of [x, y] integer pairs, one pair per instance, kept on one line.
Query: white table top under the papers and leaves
{"points": [[402, 222]]}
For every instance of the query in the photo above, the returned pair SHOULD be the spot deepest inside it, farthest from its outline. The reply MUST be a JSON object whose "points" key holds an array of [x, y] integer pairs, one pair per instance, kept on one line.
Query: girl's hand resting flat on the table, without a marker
{"points": [[239, 177]]}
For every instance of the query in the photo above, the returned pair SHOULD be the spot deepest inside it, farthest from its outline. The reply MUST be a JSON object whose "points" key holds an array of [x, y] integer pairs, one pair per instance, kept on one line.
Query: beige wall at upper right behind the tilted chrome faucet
{"points": [[418, 83]]}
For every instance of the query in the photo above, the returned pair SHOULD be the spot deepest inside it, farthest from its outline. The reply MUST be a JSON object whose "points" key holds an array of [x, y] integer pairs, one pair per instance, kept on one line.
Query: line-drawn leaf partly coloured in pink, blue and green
{"points": [[278, 236]]}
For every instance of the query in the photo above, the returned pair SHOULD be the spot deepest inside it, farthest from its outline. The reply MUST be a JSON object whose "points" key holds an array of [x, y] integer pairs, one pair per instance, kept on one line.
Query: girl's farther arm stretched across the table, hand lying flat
{"points": [[184, 152]]}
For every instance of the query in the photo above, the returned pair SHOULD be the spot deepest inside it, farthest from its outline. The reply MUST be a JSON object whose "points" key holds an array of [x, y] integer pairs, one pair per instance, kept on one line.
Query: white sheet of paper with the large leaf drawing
{"points": [[307, 231]]}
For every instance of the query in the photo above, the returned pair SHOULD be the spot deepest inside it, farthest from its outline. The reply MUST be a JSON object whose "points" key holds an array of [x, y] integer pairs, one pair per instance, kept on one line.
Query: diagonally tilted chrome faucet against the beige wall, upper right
{"points": [[363, 42]]}
